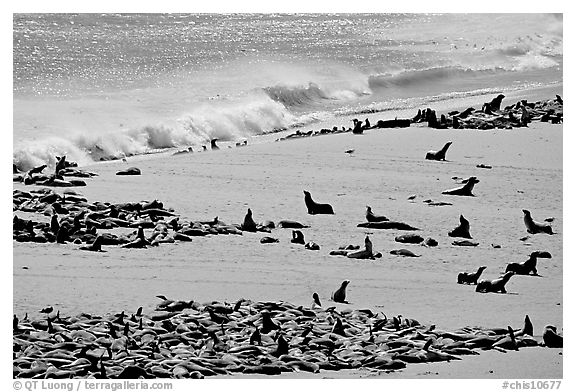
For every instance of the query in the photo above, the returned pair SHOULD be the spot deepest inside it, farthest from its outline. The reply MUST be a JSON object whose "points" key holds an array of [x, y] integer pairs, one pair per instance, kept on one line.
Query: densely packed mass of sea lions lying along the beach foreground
{"points": [[188, 340]]}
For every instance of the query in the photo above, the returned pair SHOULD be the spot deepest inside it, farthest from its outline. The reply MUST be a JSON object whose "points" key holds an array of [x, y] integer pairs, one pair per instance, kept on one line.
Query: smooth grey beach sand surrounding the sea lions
{"points": [[386, 168]]}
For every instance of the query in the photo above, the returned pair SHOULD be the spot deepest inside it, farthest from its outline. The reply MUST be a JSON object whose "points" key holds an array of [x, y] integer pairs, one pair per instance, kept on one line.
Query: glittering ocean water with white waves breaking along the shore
{"points": [[104, 86]]}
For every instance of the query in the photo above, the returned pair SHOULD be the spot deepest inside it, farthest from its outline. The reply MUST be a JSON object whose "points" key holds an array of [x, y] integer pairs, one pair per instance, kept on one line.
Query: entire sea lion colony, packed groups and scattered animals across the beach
{"points": [[188, 340]]}
